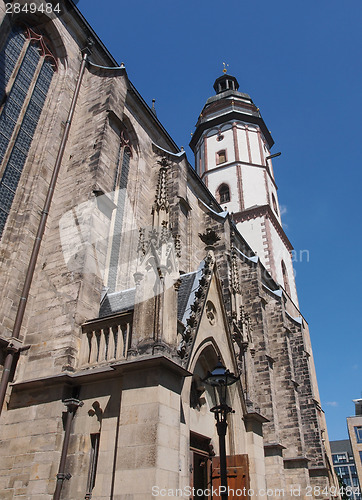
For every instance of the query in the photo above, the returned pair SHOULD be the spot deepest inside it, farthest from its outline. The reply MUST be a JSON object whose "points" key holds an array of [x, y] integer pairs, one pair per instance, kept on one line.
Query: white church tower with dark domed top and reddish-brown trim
{"points": [[232, 146]]}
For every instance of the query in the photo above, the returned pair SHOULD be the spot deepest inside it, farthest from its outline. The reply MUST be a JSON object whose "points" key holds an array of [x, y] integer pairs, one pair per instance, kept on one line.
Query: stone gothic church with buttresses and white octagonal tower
{"points": [[128, 275]]}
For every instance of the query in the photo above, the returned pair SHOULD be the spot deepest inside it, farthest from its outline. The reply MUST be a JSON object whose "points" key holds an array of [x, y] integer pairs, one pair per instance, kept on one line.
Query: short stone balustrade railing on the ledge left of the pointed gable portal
{"points": [[106, 339]]}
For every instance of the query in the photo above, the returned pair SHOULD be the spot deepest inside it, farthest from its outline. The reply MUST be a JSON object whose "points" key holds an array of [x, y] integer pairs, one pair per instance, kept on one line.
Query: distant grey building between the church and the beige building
{"points": [[345, 466]]}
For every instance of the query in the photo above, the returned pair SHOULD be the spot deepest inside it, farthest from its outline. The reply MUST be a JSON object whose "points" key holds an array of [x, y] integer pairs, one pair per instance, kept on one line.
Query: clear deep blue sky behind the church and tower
{"points": [[301, 64]]}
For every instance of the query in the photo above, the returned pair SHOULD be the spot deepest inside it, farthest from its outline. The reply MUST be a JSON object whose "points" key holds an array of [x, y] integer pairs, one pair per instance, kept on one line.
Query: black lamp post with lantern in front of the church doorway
{"points": [[220, 379]]}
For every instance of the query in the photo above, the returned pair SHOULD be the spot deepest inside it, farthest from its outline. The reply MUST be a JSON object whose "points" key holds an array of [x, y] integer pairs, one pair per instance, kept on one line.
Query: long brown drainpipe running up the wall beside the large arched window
{"points": [[9, 360]]}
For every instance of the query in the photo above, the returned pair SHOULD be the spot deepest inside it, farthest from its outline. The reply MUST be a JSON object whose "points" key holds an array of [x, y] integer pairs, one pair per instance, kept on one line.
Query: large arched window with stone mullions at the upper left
{"points": [[26, 70]]}
